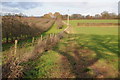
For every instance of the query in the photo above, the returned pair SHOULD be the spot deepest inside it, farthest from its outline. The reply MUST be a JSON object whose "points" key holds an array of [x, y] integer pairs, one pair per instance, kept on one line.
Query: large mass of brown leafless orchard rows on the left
{"points": [[14, 27]]}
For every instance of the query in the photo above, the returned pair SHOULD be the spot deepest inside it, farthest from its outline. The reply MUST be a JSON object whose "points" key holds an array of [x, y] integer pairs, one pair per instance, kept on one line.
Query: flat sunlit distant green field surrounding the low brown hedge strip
{"points": [[104, 30]]}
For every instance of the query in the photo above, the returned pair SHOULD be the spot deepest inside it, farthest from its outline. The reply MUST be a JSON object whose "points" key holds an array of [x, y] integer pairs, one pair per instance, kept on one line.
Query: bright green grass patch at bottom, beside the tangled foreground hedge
{"points": [[41, 67]]}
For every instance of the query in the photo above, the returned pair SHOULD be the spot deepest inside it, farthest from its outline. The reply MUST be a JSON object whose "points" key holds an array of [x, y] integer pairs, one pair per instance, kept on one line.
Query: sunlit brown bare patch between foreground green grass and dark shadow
{"points": [[62, 69]]}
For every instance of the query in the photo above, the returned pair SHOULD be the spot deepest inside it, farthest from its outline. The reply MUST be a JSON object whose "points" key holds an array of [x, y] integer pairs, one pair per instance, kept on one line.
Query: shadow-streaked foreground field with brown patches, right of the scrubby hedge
{"points": [[79, 56]]}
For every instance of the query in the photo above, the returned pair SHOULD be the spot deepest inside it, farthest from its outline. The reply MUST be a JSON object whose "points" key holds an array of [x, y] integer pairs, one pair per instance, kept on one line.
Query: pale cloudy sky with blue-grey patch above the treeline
{"points": [[40, 7]]}
